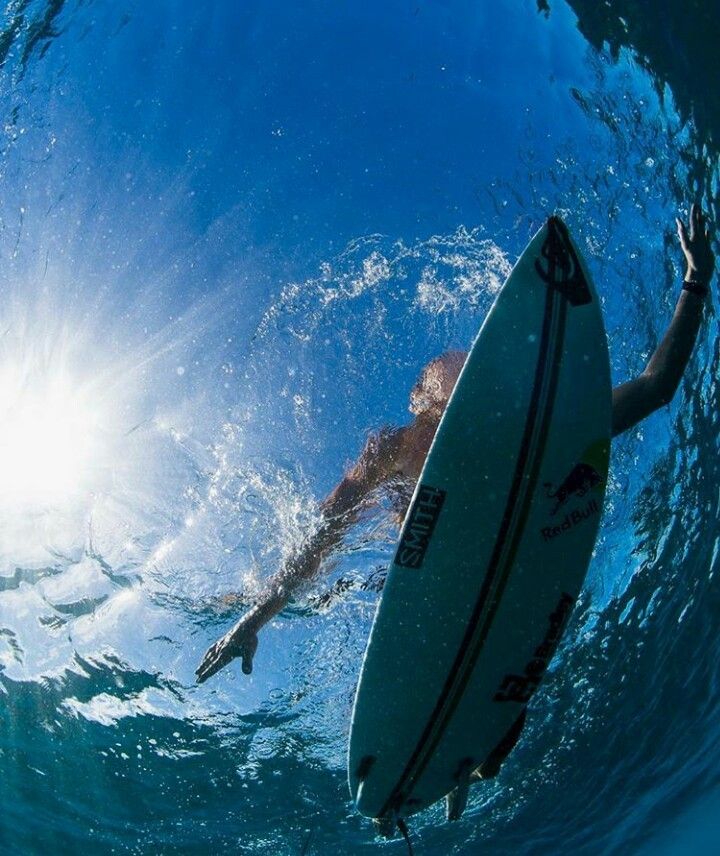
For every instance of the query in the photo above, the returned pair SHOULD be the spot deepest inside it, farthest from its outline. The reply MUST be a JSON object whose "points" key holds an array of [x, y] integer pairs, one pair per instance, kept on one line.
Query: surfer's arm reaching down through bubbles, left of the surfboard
{"points": [[339, 511]]}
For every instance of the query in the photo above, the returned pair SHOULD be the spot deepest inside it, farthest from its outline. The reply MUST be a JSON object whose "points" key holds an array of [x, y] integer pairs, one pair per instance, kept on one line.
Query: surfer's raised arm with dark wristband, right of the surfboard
{"points": [[656, 386]]}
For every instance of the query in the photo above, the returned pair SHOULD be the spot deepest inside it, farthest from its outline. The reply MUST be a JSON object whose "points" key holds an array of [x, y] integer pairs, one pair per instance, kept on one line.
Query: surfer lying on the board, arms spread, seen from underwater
{"points": [[395, 455]]}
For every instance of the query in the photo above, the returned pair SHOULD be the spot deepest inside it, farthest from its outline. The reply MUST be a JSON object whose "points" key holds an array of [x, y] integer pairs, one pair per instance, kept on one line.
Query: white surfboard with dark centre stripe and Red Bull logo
{"points": [[496, 543]]}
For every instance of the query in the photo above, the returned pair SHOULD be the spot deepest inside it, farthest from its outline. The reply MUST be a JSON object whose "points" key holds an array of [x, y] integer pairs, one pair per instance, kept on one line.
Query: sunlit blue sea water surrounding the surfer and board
{"points": [[230, 236]]}
